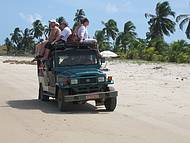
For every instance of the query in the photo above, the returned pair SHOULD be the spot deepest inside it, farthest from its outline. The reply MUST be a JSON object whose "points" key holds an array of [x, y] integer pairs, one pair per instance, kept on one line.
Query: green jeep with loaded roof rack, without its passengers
{"points": [[73, 74]]}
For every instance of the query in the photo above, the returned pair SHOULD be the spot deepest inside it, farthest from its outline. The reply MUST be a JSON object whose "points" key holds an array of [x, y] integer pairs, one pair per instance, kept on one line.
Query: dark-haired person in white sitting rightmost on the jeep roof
{"points": [[82, 32]]}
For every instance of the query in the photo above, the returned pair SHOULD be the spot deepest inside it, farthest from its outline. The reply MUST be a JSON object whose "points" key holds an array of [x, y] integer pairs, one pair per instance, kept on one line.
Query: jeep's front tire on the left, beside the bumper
{"points": [[60, 99]]}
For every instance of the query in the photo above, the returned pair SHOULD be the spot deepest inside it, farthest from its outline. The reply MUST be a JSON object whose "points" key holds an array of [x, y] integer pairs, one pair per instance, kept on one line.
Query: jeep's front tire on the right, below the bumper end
{"points": [[110, 104]]}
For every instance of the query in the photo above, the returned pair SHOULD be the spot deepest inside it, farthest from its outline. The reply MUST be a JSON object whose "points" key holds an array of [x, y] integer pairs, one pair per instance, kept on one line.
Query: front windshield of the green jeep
{"points": [[76, 58]]}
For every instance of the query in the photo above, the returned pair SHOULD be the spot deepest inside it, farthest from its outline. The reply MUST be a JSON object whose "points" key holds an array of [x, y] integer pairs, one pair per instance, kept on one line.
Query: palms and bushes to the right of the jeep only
{"points": [[154, 47]]}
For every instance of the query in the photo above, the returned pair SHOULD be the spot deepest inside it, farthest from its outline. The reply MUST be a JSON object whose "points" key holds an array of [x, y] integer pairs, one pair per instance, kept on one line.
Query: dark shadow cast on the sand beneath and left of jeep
{"points": [[51, 107]]}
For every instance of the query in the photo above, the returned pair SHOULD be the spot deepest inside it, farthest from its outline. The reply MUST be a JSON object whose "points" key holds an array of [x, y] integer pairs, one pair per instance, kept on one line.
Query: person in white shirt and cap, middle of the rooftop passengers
{"points": [[65, 33]]}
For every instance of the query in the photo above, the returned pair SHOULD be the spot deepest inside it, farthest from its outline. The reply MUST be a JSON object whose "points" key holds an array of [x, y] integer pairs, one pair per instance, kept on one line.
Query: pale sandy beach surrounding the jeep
{"points": [[153, 107]]}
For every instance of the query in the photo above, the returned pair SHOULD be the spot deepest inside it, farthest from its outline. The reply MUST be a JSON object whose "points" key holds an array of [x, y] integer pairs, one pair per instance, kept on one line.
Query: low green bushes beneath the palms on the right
{"points": [[178, 52]]}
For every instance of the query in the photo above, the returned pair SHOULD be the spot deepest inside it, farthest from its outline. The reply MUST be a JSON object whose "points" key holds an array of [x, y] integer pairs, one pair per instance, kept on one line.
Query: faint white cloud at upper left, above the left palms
{"points": [[30, 18]]}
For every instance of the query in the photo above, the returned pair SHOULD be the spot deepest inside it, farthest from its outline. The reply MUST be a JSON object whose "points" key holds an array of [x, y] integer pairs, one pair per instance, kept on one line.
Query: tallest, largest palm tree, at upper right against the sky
{"points": [[160, 23]]}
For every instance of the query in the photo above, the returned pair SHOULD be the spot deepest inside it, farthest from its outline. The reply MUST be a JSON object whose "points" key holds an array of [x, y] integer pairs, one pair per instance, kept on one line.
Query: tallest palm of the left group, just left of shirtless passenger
{"points": [[38, 29]]}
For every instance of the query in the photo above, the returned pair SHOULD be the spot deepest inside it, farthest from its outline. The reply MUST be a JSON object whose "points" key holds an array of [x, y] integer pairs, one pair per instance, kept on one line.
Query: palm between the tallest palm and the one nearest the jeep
{"points": [[126, 38]]}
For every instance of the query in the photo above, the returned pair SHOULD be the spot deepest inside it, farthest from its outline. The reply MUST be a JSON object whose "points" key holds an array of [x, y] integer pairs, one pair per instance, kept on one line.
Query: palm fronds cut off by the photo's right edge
{"points": [[184, 19]]}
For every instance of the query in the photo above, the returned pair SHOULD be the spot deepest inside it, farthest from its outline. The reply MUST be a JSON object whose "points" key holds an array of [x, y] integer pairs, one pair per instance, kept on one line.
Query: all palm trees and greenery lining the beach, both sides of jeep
{"points": [[126, 43]]}
